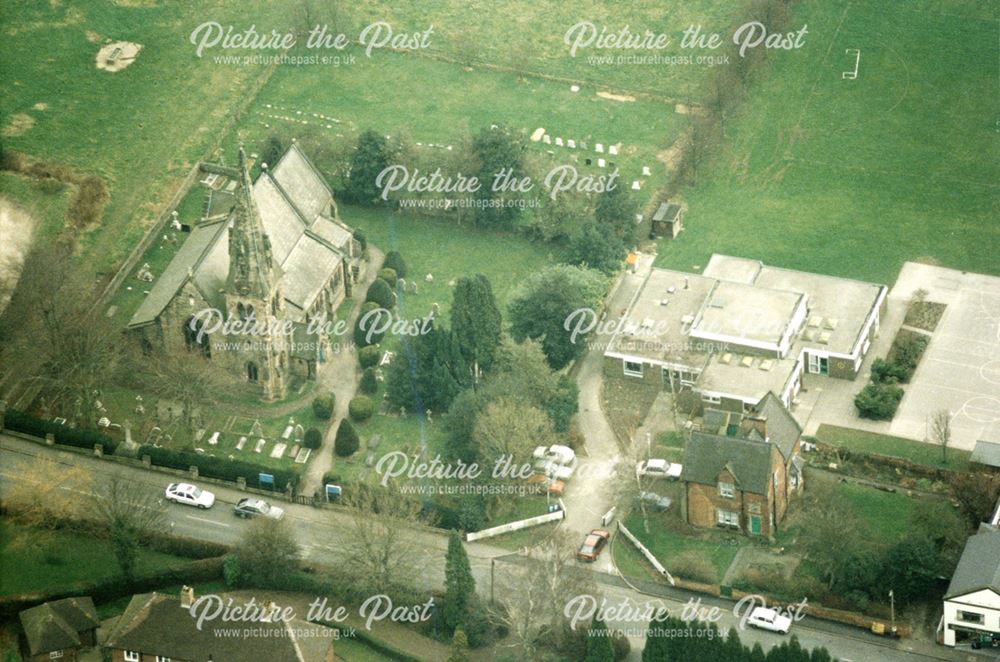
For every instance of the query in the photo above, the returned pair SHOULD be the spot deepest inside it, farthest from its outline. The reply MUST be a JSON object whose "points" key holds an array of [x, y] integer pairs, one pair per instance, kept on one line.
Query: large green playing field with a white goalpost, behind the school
{"points": [[854, 177]]}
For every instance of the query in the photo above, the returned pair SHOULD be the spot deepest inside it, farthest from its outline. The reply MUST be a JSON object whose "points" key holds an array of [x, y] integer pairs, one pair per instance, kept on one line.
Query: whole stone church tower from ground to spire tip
{"points": [[253, 295]]}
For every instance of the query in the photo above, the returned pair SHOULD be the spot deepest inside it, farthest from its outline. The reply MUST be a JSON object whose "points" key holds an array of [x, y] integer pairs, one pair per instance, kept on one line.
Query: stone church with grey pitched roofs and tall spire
{"points": [[277, 258]]}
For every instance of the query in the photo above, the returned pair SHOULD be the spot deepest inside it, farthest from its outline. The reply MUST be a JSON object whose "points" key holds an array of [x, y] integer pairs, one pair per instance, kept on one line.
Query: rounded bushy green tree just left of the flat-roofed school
{"points": [[541, 308]]}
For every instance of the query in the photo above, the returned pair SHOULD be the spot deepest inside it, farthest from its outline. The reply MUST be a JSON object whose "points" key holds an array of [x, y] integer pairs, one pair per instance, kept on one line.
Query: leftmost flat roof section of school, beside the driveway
{"points": [[656, 330]]}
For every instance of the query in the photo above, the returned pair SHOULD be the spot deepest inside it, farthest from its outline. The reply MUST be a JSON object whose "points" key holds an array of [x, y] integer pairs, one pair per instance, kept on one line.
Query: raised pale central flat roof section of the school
{"points": [[746, 312]]}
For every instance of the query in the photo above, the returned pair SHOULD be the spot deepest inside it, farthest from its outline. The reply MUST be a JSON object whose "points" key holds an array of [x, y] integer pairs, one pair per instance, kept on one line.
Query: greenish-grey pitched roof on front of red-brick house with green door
{"points": [[748, 460]]}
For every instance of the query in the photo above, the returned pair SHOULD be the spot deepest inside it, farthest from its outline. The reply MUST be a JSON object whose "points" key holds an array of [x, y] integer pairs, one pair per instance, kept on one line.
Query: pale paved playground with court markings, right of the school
{"points": [[960, 370]]}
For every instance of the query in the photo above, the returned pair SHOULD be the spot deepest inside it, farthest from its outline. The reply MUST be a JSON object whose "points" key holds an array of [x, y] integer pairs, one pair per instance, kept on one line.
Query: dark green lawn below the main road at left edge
{"points": [[36, 561]]}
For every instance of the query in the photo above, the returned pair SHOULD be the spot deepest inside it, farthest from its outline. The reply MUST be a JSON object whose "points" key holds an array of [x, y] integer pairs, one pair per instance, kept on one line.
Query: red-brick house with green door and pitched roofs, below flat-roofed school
{"points": [[742, 469]]}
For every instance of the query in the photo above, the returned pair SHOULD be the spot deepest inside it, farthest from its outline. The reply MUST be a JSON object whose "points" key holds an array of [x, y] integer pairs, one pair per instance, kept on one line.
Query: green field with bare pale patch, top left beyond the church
{"points": [[140, 128]]}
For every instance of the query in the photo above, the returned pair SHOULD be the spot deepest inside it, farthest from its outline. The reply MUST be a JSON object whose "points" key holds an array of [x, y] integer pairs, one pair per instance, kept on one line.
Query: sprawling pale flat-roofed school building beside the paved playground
{"points": [[741, 329]]}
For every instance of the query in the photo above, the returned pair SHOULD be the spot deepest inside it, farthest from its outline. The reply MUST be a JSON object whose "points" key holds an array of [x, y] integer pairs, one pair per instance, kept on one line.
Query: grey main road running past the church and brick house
{"points": [[321, 533]]}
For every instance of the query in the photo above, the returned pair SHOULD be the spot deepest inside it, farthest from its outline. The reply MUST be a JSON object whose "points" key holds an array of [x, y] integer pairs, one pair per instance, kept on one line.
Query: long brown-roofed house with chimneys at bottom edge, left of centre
{"points": [[159, 628]]}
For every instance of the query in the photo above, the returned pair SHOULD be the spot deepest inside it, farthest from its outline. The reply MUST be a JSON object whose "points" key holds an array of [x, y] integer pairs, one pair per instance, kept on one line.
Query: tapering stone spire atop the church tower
{"points": [[251, 267]]}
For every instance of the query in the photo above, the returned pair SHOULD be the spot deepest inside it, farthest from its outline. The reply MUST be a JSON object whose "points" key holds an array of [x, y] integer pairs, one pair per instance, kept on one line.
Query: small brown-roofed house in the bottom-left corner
{"points": [[58, 630]]}
